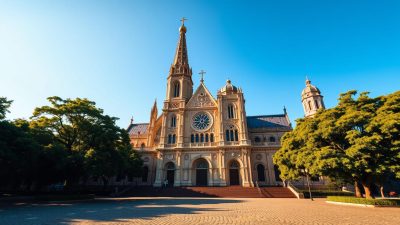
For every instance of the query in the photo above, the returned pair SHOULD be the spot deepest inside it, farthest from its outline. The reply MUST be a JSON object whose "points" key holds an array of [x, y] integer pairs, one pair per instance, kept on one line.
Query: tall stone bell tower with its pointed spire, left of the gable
{"points": [[179, 81]]}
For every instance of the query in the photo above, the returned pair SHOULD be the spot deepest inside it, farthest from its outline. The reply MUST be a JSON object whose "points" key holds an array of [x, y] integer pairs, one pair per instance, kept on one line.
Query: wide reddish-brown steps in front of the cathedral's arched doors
{"points": [[216, 192]]}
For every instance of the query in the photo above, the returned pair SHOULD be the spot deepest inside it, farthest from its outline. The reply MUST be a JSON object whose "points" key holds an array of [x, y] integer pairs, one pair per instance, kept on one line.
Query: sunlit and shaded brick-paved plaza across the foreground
{"points": [[197, 211]]}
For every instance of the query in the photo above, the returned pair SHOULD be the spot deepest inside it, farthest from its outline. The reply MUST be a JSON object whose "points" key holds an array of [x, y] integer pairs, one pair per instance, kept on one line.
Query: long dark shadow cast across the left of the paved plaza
{"points": [[105, 210]]}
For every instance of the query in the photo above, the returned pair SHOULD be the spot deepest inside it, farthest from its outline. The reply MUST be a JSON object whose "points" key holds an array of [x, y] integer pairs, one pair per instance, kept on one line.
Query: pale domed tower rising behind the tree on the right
{"points": [[312, 99]]}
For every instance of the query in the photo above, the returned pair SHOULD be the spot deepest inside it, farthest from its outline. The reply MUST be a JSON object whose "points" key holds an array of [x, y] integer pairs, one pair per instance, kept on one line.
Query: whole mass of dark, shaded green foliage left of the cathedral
{"points": [[66, 142]]}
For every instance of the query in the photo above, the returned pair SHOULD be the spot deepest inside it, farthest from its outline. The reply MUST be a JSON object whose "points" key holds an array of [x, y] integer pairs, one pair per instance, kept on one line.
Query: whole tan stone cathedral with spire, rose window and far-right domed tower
{"points": [[200, 140]]}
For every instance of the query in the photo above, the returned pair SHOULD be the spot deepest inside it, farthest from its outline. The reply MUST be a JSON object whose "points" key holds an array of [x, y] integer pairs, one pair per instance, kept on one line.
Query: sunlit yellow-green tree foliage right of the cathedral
{"points": [[358, 140]]}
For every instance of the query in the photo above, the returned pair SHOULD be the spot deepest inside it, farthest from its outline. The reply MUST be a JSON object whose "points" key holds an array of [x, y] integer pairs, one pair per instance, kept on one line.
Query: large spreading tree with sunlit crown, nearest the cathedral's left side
{"points": [[94, 143]]}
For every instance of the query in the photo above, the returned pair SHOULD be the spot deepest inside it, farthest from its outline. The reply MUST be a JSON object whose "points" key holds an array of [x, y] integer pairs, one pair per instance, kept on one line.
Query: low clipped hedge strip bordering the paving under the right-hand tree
{"points": [[377, 202]]}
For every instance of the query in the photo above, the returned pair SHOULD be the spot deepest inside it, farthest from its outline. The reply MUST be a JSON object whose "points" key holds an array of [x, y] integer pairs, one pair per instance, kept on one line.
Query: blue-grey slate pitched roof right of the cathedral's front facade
{"points": [[268, 121]]}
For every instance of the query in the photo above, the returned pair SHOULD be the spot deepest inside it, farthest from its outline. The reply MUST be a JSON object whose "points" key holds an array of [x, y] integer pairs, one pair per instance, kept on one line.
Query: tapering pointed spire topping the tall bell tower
{"points": [[181, 61]]}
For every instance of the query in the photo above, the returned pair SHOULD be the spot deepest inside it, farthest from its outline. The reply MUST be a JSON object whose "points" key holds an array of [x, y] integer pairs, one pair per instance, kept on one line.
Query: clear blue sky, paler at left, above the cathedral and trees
{"points": [[118, 53]]}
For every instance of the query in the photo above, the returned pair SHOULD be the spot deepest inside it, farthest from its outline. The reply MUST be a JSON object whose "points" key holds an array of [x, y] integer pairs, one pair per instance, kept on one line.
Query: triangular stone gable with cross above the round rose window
{"points": [[201, 98]]}
